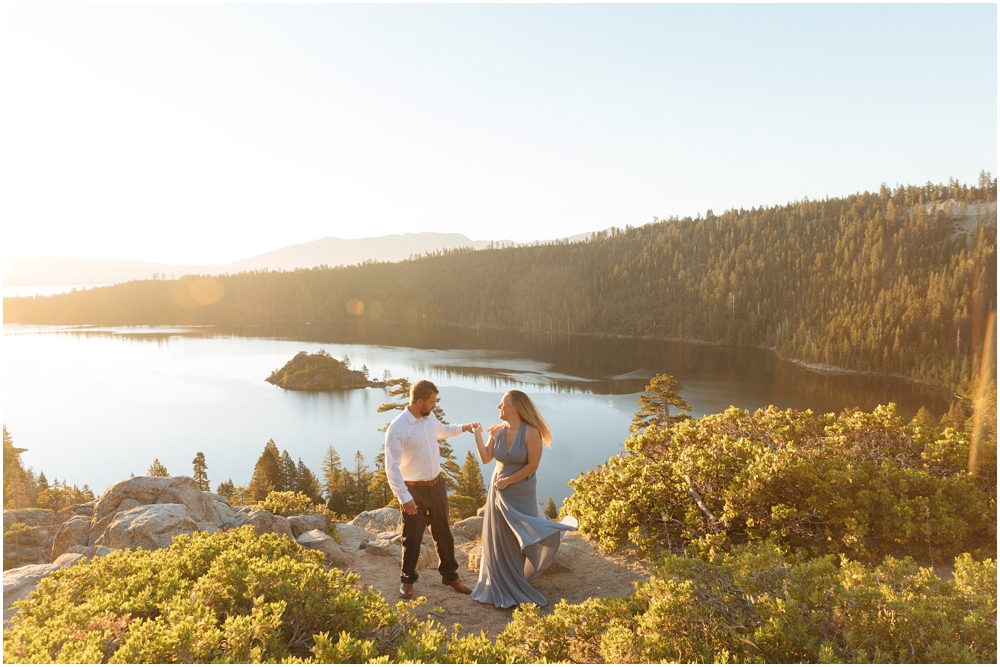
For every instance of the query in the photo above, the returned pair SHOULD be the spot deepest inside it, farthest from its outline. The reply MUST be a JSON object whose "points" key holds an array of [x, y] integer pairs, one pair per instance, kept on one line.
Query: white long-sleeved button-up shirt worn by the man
{"points": [[411, 450]]}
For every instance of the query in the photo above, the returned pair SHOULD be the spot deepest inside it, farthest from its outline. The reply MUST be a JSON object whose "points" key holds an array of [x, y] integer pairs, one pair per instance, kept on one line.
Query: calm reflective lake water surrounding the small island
{"points": [[93, 405]]}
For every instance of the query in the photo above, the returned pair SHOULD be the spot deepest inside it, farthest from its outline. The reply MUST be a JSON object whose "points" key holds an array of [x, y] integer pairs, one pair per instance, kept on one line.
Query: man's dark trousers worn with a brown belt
{"points": [[432, 509]]}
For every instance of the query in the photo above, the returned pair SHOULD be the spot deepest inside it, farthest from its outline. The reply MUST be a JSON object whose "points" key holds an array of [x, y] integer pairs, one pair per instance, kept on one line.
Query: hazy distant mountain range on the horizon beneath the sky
{"points": [[23, 271]]}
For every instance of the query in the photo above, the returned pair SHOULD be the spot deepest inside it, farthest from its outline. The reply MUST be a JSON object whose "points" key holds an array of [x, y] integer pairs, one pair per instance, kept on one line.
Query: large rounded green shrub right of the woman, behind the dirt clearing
{"points": [[860, 484]]}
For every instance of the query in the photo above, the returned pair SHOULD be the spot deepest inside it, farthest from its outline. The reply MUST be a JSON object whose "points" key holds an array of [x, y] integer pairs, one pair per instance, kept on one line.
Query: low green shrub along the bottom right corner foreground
{"points": [[758, 604]]}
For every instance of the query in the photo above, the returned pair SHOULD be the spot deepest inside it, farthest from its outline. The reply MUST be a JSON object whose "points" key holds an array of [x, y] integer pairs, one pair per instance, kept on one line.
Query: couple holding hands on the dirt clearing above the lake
{"points": [[518, 543]]}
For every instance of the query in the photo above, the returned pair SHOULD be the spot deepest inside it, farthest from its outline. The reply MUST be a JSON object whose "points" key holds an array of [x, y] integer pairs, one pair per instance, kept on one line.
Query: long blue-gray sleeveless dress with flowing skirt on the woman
{"points": [[518, 543]]}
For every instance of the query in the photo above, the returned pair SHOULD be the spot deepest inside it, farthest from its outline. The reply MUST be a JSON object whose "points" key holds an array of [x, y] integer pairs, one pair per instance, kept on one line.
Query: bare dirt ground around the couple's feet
{"points": [[578, 572]]}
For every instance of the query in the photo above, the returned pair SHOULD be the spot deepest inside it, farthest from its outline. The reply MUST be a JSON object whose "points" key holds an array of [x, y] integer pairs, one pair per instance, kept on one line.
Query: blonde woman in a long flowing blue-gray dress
{"points": [[518, 544]]}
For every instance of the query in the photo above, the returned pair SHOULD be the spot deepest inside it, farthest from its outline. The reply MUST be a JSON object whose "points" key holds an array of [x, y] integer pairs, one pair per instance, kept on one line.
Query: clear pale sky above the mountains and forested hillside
{"points": [[208, 134]]}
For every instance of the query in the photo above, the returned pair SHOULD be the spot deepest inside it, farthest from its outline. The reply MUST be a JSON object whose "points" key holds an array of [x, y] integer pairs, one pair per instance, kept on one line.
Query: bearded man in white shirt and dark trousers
{"points": [[412, 465]]}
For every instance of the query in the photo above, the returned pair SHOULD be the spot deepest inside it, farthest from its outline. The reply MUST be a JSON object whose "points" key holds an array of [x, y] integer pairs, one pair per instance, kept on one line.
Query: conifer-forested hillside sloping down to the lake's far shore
{"points": [[898, 281]]}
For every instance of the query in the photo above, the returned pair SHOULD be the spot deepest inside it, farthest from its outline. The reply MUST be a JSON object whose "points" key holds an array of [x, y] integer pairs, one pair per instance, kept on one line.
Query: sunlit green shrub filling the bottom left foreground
{"points": [[223, 597]]}
